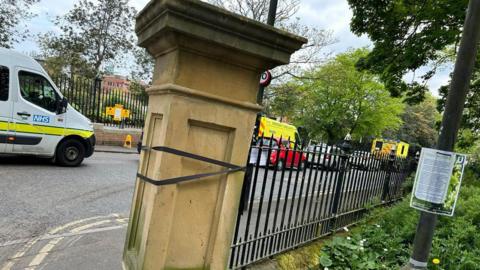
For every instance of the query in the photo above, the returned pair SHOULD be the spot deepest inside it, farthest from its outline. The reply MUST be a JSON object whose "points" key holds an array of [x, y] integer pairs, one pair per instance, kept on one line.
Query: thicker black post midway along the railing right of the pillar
{"points": [[344, 168]]}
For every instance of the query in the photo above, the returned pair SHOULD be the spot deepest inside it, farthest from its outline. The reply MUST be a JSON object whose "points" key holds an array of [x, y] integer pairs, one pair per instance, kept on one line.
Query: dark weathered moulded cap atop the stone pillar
{"points": [[205, 22]]}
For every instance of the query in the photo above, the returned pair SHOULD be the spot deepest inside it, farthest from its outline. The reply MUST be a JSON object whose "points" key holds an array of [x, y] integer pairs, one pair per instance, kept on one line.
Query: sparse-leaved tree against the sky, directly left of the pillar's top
{"points": [[92, 33]]}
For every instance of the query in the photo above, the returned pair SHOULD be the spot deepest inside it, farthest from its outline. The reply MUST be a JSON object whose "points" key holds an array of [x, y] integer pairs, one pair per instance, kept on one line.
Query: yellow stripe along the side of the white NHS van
{"points": [[56, 131]]}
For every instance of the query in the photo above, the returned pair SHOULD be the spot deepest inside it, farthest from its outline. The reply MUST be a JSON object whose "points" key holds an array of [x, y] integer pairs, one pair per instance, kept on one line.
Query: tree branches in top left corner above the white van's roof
{"points": [[12, 12]]}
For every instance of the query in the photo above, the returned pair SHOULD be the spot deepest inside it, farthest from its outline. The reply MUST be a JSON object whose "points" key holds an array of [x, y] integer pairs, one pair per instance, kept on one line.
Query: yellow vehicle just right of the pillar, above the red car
{"points": [[269, 127]]}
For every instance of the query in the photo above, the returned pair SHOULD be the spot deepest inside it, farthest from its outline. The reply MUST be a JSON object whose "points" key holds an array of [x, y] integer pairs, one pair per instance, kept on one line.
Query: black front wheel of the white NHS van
{"points": [[70, 153]]}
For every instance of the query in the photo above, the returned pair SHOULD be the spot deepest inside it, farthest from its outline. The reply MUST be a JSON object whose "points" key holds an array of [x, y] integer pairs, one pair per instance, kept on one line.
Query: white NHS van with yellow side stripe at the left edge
{"points": [[35, 119]]}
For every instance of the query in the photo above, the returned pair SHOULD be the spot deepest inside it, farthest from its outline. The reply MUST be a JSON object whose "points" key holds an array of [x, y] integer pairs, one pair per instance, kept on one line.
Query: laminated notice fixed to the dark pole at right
{"points": [[437, 182]]}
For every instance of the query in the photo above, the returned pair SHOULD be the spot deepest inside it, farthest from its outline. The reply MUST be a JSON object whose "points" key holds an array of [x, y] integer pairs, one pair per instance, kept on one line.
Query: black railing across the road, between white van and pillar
{"points": [[91, 99]]}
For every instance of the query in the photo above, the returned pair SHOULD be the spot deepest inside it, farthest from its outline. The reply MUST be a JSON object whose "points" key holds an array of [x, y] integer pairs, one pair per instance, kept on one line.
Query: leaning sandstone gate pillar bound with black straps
{"points": [[207, 70]]}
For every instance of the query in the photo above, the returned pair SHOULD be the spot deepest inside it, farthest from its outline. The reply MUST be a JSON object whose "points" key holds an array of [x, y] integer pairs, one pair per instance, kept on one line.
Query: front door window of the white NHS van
{"points": [[37, 90]]}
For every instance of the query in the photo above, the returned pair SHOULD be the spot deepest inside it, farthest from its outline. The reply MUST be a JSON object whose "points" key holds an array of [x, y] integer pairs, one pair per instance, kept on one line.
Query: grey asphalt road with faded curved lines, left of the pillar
{"points": [[46, 209]]}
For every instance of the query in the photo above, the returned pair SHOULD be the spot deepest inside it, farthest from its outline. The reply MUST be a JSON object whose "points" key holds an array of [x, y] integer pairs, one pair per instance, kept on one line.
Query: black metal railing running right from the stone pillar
{"points": [[292, 196]]}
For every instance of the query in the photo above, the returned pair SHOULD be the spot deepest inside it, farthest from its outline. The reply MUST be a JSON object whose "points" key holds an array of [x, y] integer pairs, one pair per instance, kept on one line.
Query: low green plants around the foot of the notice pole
{"points": [[384, 239]]}
